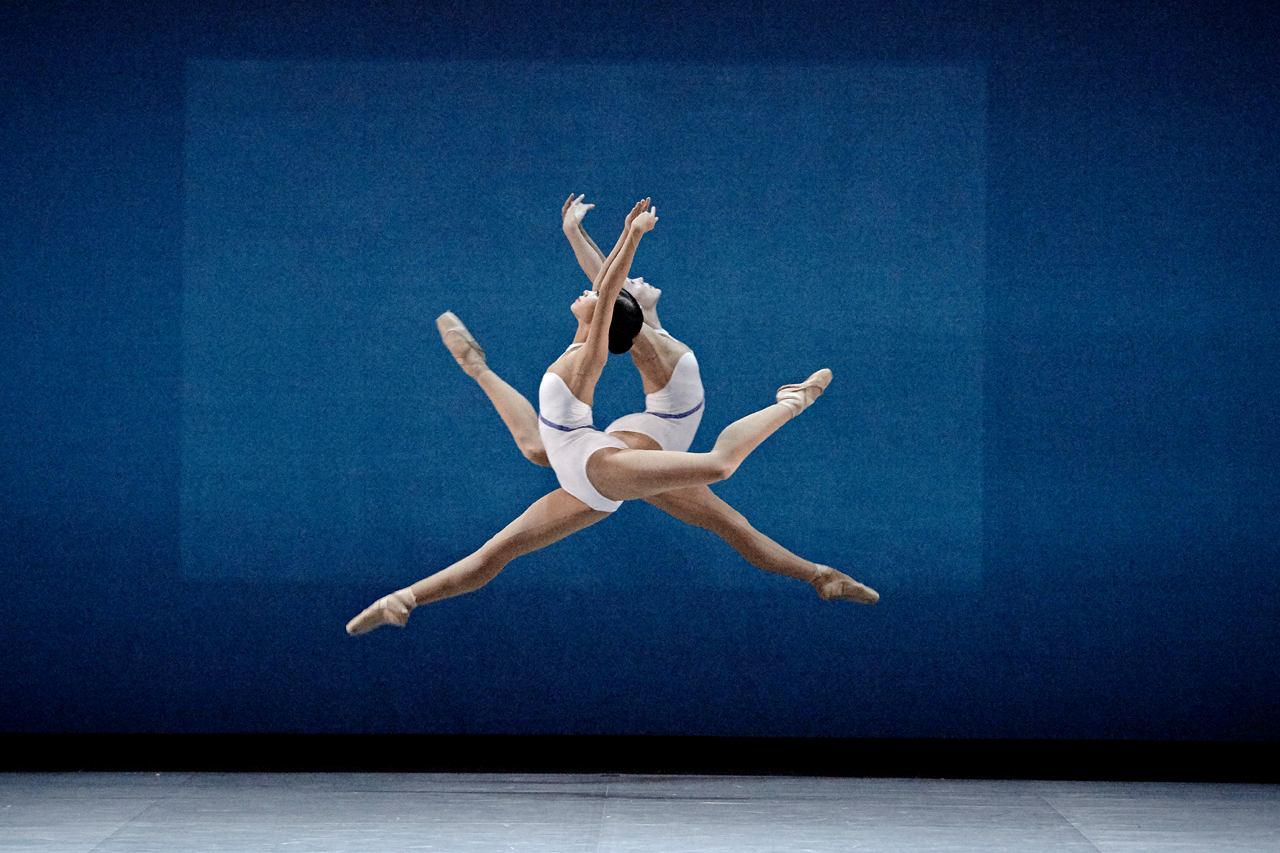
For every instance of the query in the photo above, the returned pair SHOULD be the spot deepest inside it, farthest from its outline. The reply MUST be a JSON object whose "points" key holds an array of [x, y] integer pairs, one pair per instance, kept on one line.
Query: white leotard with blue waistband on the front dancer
{"points": [[570, 439]]}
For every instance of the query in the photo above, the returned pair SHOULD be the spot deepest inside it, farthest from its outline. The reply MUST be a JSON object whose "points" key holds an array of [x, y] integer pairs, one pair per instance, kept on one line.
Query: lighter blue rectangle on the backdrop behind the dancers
{"points": [[810, 217]]}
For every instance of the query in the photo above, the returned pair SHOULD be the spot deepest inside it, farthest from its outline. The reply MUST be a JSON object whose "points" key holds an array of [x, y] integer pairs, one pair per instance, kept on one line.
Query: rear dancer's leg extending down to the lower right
{"points": [[703, 509]]}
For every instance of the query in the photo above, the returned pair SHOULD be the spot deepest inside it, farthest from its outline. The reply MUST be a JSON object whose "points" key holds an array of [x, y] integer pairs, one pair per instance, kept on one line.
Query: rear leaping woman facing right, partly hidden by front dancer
{"points": [[674, 409]]}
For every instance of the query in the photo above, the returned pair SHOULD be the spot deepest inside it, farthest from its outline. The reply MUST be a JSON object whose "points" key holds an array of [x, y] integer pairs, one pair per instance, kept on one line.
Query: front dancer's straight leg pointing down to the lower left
{"points": [[550, 519]]}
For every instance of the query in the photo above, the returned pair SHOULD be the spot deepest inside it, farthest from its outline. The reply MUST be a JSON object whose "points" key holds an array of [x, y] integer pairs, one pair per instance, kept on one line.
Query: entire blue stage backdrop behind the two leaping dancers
{"points": [[1037, 249]]}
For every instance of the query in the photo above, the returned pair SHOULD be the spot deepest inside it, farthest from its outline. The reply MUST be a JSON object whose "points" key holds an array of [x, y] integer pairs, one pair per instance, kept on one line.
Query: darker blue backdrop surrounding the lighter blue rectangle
{"points": [[1128, 582]]}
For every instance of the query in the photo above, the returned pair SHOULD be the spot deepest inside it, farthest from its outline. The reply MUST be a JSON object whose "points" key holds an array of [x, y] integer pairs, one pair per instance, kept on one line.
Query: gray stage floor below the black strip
{"points": [[138, 813]]}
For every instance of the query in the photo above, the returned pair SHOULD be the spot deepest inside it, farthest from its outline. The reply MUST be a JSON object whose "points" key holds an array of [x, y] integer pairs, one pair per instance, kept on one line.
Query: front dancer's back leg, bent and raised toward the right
{"points": [[630, 475]]}
